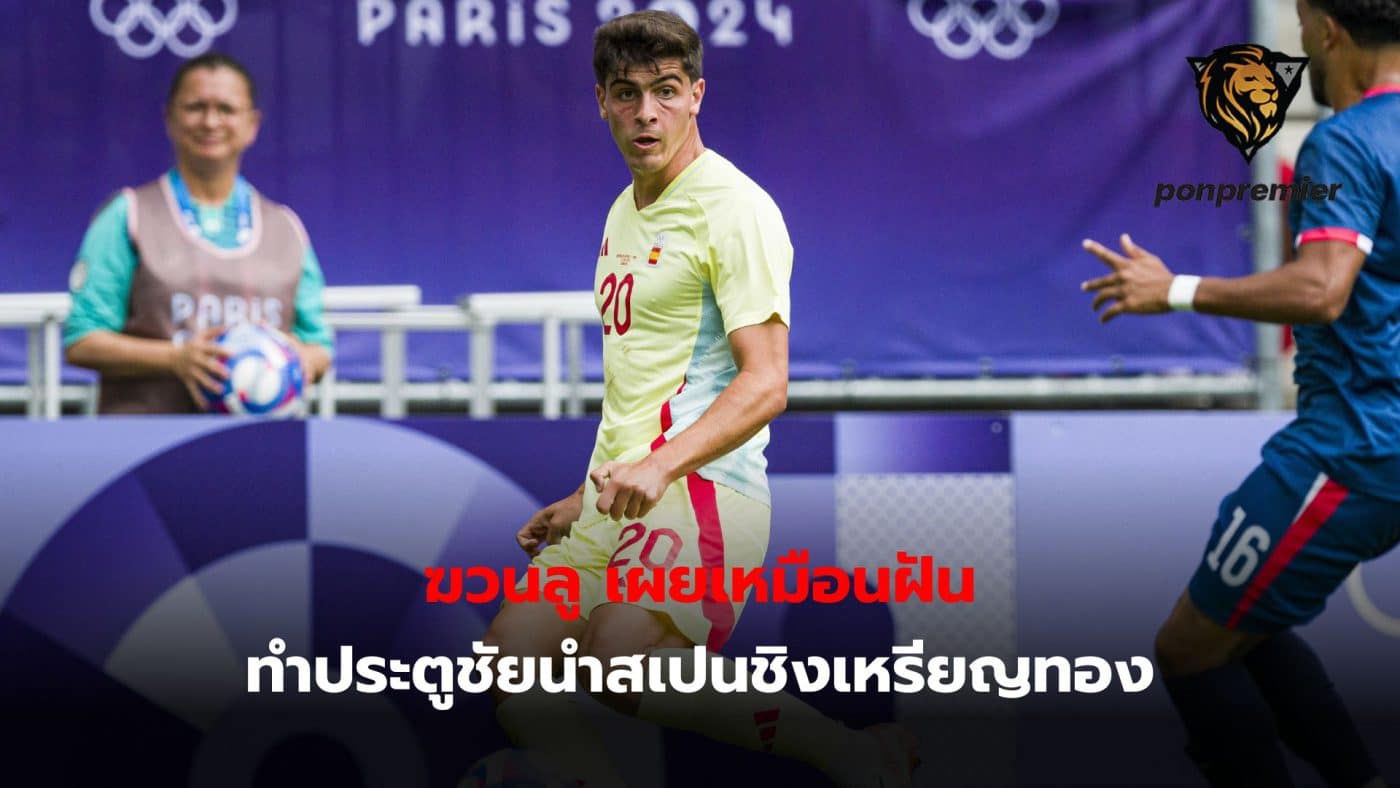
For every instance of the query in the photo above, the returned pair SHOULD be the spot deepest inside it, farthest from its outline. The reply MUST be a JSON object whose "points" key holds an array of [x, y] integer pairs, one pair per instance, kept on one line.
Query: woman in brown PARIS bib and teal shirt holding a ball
{"points": [[164, 268]]}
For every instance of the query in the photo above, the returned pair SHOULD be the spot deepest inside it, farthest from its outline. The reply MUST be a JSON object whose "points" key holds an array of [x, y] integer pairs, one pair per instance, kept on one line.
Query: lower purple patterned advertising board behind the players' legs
{"points": [[145, 561]]}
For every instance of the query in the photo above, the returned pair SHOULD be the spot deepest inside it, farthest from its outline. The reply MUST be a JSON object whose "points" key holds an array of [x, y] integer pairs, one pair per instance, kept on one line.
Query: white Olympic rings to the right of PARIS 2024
{"points": [[1004, 29]]}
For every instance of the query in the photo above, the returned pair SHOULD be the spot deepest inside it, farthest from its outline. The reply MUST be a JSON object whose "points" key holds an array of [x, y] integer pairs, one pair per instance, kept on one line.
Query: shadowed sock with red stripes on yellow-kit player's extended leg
{"points": [[779, 724]]}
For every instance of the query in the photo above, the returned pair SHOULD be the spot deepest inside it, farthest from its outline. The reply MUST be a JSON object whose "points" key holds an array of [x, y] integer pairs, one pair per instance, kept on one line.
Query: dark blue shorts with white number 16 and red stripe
{"points": [[1283, 542]]}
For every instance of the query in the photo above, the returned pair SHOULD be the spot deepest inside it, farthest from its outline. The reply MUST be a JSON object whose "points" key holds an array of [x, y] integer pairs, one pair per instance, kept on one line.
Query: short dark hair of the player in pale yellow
{"points": [[646, 38]]}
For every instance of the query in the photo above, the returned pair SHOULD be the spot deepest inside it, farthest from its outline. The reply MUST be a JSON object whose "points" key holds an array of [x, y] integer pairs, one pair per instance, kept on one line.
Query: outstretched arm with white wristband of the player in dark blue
{"points": [[1314, 289]]}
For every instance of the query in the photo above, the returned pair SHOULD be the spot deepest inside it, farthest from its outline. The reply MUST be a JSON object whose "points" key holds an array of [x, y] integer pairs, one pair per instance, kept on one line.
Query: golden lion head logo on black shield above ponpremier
{"points": [[1245, 92]]}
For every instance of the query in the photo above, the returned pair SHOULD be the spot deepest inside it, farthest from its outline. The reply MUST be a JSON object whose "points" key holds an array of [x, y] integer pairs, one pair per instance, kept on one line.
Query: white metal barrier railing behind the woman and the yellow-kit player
{"points": [[401, 313]]}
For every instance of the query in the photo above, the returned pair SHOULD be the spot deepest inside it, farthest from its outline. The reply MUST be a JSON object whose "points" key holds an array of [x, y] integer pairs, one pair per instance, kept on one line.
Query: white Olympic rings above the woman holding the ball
{"points": [[164, 29]]}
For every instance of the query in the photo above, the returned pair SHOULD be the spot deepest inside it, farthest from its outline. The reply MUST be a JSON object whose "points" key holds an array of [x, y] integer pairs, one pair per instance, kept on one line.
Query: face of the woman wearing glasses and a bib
{"points": [[212, 118]]}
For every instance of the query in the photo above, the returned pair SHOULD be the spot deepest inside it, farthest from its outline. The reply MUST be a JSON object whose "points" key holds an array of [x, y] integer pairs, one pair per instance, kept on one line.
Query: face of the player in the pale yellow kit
{"points": [[652, 114]]}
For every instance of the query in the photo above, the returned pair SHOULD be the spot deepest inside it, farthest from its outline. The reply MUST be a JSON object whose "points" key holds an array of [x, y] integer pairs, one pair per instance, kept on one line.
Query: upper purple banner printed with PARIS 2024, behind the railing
{"points": [[937, 166]]}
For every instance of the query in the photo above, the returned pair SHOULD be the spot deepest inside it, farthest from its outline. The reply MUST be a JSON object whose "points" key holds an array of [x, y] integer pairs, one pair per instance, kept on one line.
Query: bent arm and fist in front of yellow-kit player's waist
{"points": [[755, 397]]}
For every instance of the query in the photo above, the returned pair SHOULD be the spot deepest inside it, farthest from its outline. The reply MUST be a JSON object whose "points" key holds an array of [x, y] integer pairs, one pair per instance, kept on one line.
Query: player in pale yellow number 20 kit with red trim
{"points": [[692, 285]]}
